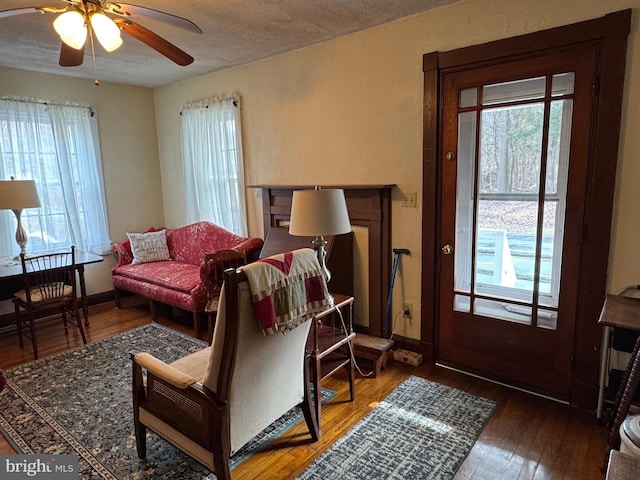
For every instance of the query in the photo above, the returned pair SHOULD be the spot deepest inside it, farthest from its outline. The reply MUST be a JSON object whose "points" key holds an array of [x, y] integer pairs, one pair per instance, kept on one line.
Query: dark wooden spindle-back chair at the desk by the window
{"points": [[49, 288]]}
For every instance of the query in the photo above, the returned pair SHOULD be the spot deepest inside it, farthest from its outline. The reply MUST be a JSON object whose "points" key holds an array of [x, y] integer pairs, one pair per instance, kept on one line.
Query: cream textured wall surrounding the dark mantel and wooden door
{"points": [[349, 111]]}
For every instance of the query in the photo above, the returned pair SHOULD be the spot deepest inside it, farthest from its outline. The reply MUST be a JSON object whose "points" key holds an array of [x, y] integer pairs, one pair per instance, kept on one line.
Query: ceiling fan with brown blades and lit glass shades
{"points": [[82, 19]]}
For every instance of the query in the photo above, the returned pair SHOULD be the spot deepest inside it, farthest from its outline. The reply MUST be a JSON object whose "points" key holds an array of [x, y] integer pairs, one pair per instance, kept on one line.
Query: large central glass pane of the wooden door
{"points": [[511, 140]]}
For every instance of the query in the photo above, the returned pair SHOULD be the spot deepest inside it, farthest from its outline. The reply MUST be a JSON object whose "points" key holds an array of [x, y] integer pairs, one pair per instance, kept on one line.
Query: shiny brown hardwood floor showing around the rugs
{"points": [[527, 438]]}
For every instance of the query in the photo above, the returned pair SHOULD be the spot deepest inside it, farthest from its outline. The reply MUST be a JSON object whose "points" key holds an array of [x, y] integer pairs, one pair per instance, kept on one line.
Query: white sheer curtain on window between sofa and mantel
{"points": [[213, 164]]}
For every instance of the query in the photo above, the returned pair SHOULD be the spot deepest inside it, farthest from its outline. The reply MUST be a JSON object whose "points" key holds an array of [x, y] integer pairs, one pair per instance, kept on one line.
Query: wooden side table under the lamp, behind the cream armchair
{"points": [[329, 346]]}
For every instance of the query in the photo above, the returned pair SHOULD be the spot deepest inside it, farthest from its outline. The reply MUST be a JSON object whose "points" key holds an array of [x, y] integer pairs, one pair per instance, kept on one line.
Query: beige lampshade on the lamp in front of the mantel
{"points": [[319, 212]]}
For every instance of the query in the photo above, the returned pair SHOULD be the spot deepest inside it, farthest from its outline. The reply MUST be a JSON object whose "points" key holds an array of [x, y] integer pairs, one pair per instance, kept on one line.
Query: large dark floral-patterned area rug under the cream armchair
{"points": [[79, 402]]}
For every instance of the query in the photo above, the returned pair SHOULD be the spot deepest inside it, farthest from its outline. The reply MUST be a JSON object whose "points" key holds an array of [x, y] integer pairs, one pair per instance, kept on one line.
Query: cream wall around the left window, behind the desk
{"points": [[126, 119]]}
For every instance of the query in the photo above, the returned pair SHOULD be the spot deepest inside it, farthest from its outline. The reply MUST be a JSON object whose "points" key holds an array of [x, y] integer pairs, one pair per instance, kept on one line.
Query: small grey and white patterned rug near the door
{"points": [[422, 430]]}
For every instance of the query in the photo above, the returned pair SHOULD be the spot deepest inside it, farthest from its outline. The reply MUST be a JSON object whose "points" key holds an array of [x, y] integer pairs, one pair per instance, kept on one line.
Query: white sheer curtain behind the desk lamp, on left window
{"points": [[57, 146]]}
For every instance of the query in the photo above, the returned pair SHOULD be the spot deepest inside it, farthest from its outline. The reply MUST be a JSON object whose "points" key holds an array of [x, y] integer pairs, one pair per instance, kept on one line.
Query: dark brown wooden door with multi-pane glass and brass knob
{"points": [[515, 147]]}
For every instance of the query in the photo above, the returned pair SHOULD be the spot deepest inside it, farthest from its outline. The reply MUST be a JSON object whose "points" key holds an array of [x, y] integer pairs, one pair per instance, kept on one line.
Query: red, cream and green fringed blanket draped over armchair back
{"points": [[287, 289]]}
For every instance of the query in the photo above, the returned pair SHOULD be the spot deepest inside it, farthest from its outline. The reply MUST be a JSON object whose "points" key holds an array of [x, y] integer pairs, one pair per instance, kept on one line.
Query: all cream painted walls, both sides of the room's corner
{"points": [[344, 111]]}
